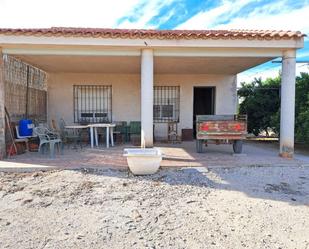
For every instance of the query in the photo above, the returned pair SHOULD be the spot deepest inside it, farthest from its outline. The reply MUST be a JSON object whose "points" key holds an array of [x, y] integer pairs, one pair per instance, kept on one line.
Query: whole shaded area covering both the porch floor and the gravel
{"points": [[278, 179]]}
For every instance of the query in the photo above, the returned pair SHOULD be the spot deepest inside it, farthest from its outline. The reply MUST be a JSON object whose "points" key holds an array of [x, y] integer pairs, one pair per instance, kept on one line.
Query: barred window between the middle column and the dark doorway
{"points": [[166, 104]]}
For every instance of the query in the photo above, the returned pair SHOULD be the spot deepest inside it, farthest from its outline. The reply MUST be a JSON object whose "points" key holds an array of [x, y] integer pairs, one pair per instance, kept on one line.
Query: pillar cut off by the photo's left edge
{"points": [[2, 112]]}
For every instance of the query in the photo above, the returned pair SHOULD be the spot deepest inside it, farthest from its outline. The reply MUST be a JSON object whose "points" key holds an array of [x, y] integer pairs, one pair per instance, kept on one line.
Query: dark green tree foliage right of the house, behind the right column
{"points": [[260, 100]]}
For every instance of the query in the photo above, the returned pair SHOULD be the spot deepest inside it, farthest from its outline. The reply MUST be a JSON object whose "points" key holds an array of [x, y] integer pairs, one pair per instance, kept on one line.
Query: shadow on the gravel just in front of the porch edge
{"points": [[284, 184]]}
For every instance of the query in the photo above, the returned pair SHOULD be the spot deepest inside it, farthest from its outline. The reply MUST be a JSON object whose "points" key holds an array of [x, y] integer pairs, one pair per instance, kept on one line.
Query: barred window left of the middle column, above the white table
{"points": [[92, 103]]}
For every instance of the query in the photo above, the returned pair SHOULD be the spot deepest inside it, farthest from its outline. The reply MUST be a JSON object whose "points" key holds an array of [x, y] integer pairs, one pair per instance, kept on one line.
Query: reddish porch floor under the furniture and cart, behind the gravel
{"points": [[175, 155]]}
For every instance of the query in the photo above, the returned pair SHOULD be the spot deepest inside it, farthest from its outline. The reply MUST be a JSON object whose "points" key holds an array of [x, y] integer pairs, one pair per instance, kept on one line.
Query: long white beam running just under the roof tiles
{"points": [[151, 43]]}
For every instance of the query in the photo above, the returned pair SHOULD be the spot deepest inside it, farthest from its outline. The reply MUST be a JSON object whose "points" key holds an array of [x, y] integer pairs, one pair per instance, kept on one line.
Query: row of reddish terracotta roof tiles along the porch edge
{"points": [[157, 34]]}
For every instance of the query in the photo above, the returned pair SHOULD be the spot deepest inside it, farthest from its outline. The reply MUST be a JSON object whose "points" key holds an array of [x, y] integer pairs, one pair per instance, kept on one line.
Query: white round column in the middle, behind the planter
{"points": [[147, 98]]}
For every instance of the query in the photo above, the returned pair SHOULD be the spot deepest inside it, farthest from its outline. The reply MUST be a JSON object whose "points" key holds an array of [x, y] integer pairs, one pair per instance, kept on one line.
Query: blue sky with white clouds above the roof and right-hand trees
{"points": [[167, 14]]}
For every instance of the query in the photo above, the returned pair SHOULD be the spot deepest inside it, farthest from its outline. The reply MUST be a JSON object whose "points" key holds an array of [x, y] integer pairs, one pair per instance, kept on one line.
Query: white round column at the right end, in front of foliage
{"points": [[287, 115]]}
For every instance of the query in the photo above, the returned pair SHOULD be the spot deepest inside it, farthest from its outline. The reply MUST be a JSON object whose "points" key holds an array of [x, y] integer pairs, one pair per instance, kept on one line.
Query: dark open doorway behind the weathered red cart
{"points": [[203, 103]]}
